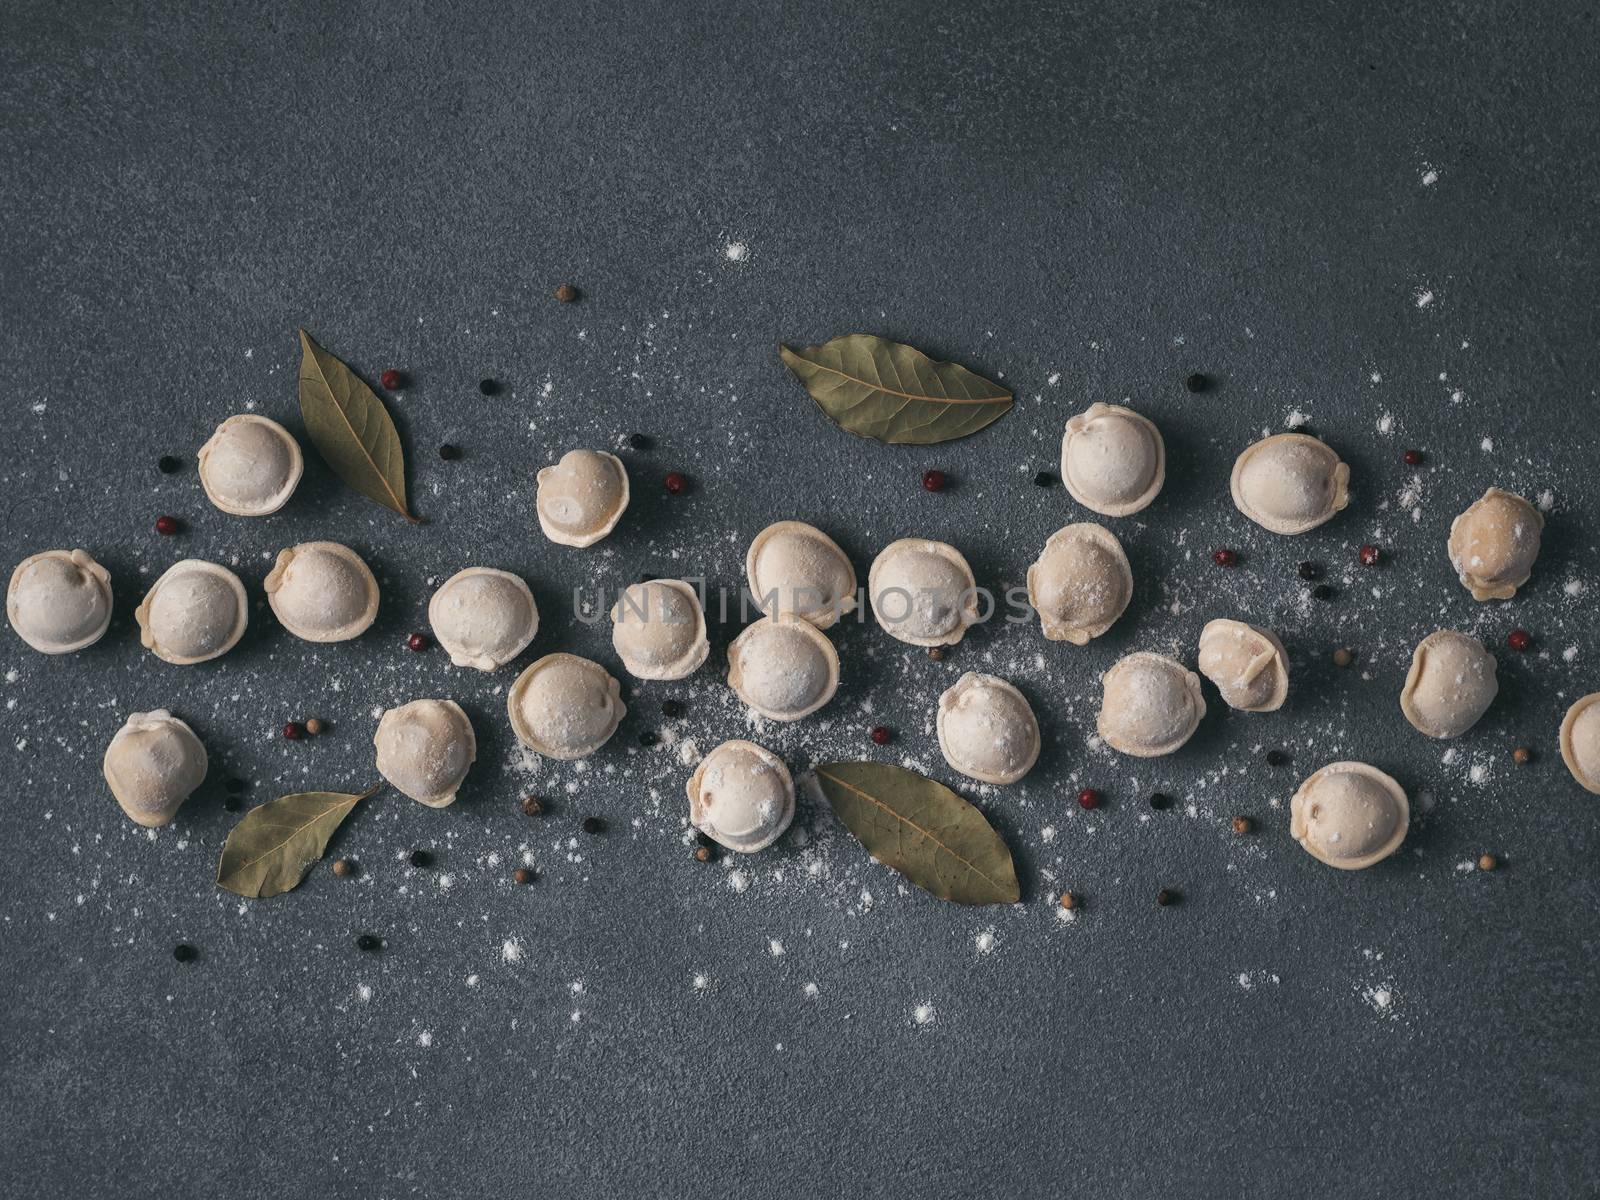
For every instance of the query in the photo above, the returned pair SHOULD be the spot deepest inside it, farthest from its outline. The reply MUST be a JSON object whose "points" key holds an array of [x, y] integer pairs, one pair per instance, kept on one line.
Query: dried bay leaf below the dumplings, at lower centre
{"points": [[922, 830]]}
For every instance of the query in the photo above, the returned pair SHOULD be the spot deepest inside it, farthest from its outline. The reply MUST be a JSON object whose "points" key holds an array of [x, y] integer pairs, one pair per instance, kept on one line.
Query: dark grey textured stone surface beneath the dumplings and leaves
{"points": [[1382, 222]]}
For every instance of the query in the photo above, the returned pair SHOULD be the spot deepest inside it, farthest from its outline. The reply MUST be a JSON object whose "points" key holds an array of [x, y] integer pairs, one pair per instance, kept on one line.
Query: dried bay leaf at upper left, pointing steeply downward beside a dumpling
{"points": [[351, 428]]}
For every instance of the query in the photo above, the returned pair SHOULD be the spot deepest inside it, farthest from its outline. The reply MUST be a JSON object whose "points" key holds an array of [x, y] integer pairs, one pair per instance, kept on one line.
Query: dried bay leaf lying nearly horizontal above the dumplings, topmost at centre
{"points": [[894, 393]]}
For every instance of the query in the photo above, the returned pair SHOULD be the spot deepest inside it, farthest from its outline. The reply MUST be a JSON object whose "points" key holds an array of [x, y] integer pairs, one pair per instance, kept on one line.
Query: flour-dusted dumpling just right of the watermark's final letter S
{"points": [[1081, 583]]}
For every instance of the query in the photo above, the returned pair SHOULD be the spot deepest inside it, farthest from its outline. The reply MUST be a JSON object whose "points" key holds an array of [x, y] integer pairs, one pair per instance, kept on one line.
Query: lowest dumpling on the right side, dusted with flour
{"points": [[1350, 815]]}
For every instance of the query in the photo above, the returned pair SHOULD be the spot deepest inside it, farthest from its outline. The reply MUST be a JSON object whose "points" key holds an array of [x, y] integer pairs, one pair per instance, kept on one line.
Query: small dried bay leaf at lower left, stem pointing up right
{"points": [[273, 849]]}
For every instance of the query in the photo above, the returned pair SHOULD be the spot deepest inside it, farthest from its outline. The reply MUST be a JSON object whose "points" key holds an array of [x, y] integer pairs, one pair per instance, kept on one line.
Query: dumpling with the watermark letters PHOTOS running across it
{"points": [[924, 593]]}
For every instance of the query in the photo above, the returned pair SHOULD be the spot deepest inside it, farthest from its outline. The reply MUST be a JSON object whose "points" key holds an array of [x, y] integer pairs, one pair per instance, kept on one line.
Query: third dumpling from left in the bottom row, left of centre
{"points": [[566, 706]]}
